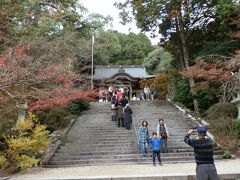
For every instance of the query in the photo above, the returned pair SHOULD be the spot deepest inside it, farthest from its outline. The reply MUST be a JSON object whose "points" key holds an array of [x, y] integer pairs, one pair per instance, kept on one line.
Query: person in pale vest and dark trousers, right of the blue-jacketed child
{"points": [[162, 131]]}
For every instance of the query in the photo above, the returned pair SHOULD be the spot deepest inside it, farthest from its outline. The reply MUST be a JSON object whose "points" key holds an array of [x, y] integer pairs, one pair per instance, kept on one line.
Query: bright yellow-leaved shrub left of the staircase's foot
{"points": [[26, 143]]}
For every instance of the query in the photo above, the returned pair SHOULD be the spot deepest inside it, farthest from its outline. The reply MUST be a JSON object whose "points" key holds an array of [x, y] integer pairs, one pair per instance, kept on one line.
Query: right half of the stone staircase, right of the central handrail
{"points": [[178, 125]]}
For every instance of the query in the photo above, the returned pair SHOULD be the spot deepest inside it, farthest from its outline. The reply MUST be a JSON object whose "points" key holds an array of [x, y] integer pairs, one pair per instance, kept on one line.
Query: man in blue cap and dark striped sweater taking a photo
{"points": [[203, 151]]}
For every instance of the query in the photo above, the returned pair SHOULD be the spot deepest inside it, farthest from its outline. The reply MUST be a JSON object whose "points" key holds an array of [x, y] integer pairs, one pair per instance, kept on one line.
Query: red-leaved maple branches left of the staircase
{"points": [[43, 84]]}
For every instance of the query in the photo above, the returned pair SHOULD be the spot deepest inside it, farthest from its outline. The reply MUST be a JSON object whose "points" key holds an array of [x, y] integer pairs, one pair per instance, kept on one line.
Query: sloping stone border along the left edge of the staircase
{"points": [[51, 150]]}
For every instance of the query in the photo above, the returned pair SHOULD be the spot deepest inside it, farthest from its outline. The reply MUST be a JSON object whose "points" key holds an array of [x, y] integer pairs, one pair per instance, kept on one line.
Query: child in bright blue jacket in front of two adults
{"points": [[156, 142]]}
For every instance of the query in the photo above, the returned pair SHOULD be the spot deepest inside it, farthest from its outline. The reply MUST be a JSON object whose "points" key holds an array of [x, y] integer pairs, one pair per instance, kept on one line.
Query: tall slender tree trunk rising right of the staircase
{"points": [[186, 59]]}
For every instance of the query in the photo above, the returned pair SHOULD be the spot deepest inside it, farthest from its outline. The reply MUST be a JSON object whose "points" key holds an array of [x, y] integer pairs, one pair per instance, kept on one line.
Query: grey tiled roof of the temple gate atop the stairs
{"points": [[103, 72]]}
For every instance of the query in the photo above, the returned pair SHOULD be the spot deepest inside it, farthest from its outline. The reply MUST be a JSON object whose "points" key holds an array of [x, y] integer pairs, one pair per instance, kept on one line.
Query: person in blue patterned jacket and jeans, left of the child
{"points": [[143, 137]]}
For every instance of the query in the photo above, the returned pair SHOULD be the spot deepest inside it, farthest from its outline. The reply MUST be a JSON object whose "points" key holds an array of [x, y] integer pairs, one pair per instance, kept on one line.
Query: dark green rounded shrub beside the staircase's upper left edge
{"points": [[77, 106]]}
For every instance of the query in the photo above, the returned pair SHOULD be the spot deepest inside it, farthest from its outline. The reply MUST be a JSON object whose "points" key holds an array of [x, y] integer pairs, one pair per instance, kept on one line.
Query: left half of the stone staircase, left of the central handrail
{"points": [[95, 140]]}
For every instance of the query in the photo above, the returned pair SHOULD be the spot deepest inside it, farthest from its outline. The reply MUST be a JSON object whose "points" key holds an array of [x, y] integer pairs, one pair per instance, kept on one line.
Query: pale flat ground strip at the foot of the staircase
{"points": [[118, 171]]}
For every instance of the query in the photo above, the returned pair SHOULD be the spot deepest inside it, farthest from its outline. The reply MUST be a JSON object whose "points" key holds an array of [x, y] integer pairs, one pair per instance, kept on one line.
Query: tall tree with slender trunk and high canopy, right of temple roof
{"points": [[170, 17]]}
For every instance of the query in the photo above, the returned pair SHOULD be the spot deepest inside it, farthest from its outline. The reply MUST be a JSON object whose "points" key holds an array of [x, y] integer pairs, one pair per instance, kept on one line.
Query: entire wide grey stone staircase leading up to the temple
{"points": [[96, 140]]}
